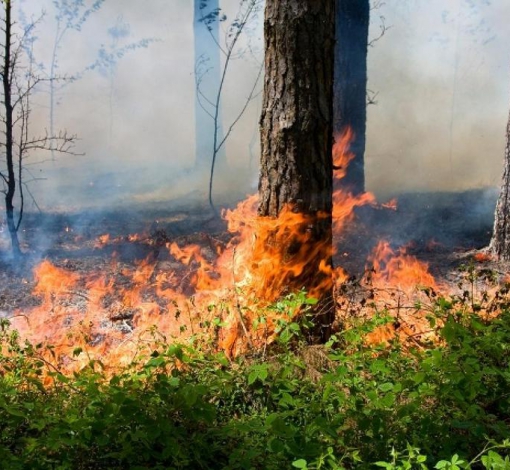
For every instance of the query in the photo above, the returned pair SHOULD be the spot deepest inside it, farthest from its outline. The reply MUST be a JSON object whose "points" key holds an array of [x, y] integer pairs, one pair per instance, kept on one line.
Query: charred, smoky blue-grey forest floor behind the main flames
{"points": [[443, 230]]}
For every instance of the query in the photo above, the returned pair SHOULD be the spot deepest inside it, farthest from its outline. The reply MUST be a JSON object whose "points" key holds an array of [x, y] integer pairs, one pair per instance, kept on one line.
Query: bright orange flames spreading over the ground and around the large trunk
{"points": [[108, 313]]}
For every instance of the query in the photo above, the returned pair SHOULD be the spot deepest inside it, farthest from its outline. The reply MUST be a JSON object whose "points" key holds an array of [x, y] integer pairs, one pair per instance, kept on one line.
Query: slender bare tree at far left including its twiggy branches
{"points": [[18, 83]]}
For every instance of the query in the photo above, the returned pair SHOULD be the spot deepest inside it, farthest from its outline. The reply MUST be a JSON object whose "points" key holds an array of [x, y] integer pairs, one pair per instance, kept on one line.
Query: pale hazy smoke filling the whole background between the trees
{"points": [[439, 75]]}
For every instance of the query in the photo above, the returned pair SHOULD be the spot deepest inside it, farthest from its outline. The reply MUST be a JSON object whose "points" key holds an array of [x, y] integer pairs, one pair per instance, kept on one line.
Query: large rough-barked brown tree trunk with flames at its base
{"points": [[296, 140]]}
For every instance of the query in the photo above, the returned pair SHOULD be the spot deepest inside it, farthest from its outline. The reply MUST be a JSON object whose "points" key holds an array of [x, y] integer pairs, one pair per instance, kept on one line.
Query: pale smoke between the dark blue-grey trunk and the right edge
{"points": [[441, 74]]}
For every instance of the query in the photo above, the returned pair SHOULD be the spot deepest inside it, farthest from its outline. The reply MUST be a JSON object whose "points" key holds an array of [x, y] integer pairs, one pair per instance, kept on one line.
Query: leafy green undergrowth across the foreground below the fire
{"points": [[356, 406]]}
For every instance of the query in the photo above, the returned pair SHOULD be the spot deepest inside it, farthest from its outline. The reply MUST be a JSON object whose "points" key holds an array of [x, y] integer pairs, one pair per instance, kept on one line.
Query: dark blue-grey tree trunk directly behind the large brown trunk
{"points": [[350, 86]]}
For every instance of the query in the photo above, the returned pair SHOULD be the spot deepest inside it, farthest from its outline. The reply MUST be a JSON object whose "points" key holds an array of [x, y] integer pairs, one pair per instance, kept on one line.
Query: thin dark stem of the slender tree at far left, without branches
{"points": [[9, 123]]}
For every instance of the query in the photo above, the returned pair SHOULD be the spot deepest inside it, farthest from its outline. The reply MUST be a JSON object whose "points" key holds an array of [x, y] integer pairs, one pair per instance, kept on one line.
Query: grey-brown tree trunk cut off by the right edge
{"points": [[500, 243]]}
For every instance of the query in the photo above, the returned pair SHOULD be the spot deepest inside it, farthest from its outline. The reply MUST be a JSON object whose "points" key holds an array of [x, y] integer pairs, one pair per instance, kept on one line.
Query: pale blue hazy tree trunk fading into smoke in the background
{"points": [[208, 120]]}
